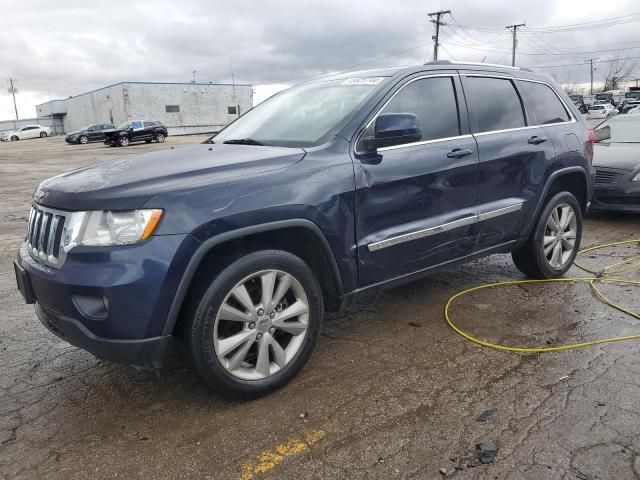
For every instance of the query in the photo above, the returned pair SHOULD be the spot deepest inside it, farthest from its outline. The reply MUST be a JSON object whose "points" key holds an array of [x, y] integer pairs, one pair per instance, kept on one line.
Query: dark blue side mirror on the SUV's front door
{"points": [[394, 129]]}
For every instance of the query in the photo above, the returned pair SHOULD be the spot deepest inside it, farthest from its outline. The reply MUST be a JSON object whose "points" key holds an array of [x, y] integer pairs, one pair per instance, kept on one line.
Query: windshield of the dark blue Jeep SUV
{"points": [[303, 116]]}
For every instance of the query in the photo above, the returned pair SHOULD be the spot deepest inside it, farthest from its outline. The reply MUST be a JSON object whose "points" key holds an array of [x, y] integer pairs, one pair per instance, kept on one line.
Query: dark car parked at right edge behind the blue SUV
{"points": [[617, 163]]}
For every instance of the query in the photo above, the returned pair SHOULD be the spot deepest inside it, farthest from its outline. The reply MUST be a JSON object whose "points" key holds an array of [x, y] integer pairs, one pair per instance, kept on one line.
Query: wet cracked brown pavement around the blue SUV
{"points": [[391, 391]]}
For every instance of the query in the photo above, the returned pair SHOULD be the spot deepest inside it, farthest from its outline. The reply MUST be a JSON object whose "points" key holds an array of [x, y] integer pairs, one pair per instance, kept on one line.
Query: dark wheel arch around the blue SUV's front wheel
{"points": [[252, 238]]}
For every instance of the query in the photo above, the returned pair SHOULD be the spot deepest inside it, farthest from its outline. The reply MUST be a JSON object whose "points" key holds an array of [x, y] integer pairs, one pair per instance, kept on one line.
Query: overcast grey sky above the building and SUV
{"points": [[56, 49]]}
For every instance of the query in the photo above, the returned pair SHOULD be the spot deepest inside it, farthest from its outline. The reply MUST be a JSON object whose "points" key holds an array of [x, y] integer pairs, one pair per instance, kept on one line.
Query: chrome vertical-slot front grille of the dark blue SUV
{"points": [[44, 235]]}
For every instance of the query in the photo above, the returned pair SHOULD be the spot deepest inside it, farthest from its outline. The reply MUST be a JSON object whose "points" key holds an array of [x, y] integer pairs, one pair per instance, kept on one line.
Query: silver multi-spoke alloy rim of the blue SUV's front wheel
{"points": [[261, 325]]}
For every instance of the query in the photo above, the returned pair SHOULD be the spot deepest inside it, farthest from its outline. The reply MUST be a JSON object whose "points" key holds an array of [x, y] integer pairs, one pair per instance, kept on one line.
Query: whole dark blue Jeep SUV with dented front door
{"points": [[233, 249]]}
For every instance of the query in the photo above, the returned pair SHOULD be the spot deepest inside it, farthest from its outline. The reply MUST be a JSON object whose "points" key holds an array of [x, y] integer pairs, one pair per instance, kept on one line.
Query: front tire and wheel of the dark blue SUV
{"points": [[232, 370]]}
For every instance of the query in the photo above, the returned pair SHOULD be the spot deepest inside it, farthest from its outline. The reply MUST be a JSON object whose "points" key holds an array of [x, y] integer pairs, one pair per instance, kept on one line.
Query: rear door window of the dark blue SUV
{"points": [[495, 104]]}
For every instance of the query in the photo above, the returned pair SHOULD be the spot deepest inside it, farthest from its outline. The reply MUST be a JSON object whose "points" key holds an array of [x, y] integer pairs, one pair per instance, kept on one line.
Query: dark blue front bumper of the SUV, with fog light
{"points": [[111, 301]]}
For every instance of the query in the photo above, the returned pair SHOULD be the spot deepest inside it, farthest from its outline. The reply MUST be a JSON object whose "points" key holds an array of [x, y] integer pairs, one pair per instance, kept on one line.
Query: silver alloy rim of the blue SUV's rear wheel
{"points": [[560, 234]]}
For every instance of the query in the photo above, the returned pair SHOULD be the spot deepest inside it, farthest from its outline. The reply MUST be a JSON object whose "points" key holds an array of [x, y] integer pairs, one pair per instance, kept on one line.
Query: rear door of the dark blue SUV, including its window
{"points": [[514, 154]]}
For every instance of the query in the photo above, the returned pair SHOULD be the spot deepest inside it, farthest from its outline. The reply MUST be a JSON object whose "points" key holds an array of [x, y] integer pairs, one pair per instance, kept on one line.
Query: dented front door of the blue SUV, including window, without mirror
{"points": [[415, 203]]}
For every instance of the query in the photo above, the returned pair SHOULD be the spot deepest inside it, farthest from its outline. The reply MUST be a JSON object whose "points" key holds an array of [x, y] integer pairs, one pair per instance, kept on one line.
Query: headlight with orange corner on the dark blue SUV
{"points": [[101, 228]]}
